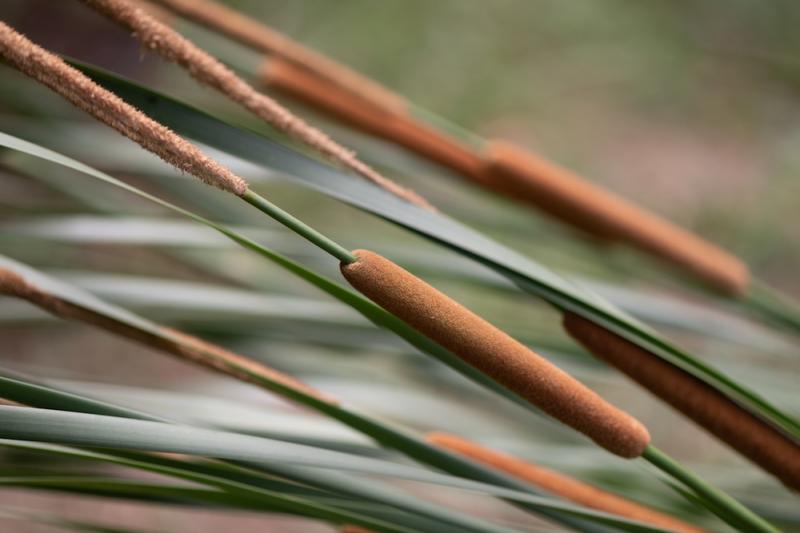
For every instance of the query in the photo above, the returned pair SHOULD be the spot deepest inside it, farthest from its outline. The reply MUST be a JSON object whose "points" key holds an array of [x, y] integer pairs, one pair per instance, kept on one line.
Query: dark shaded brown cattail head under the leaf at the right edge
{"points": [[752, 437]]}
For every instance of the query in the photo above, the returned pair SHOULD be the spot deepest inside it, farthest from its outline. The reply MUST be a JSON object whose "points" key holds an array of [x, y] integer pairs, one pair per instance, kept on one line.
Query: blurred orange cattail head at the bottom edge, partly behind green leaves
{"points": [[555, 483]]}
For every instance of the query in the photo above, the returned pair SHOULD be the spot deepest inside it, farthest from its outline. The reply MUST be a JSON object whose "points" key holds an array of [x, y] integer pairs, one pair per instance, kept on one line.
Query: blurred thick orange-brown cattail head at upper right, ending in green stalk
{"points": [[519, 174]]}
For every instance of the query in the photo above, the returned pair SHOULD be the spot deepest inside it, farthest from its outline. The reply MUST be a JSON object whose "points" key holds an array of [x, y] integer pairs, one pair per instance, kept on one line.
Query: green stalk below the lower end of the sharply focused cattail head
{"points": [[721, 504]]}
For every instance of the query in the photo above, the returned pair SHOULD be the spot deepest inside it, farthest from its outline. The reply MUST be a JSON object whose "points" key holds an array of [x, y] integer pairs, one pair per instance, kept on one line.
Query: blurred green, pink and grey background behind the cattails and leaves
{"points": [[690, 108]]}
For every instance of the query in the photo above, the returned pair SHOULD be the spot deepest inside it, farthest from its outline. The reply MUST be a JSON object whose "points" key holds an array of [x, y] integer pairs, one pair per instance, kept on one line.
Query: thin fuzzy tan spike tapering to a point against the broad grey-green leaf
{"points": [[173, 47]]}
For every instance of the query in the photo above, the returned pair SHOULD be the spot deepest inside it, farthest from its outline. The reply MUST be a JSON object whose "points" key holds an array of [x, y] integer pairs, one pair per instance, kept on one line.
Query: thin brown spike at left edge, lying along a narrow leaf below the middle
{"points": [[167, 340]]}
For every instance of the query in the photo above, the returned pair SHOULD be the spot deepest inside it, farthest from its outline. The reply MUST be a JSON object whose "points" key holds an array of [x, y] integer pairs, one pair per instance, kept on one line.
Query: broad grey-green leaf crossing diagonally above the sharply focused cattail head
{"points": [[529, 275]]}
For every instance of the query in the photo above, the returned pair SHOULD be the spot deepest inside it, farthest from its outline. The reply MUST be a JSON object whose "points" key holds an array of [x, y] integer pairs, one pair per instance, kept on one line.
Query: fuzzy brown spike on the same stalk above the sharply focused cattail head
{"points": [[108, 108]]}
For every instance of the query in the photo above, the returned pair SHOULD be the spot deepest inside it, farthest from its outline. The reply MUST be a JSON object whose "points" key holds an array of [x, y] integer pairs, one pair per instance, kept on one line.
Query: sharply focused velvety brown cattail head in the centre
{"points": [[495, 353]]}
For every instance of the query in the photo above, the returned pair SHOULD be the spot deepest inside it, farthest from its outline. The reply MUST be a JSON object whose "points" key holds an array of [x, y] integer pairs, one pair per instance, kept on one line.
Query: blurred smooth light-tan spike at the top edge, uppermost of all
{"points": [[261, 38]]}
